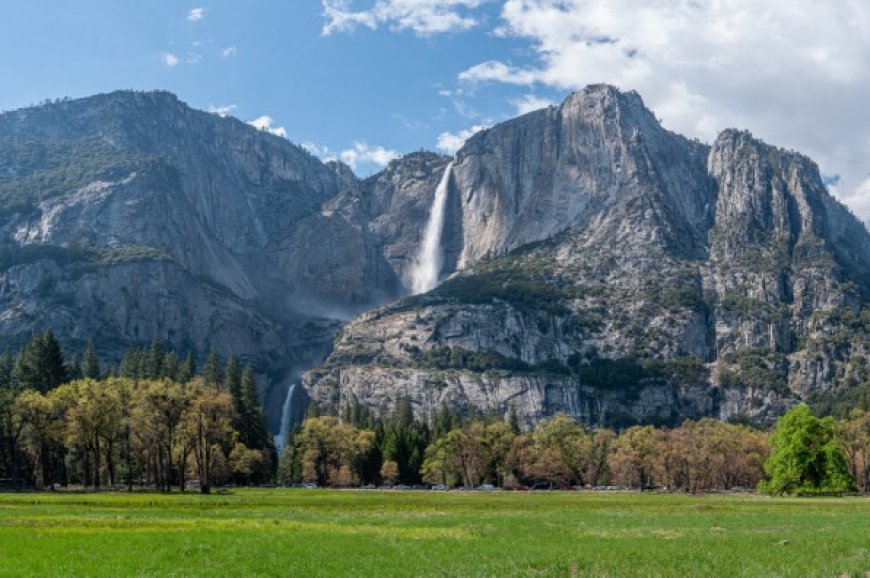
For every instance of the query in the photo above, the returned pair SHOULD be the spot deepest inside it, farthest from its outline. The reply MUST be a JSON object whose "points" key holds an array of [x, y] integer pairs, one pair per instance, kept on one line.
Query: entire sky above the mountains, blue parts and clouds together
{"points": [[368, 80]]}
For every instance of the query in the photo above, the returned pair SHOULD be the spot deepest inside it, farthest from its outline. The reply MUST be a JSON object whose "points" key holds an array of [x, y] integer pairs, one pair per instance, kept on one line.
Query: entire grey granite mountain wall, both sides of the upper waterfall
{"points": [[590, 261]]}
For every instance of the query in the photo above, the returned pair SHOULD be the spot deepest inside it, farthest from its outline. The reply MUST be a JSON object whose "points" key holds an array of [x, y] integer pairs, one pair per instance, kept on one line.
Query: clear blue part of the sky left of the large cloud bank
{"points": [[263, 58]]}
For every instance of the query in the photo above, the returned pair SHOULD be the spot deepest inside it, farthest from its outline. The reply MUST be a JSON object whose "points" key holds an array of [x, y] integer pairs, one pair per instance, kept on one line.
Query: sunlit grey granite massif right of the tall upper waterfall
{"points": [[623, 274]]}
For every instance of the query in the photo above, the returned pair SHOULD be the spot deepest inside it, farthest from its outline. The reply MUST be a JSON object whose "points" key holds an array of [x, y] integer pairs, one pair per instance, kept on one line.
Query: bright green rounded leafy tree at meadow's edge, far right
{"points": [[806, 456]]}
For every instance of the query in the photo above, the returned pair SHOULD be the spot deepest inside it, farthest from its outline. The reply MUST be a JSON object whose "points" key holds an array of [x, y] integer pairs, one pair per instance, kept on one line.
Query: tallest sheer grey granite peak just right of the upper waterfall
{"points": [[600, 155]]}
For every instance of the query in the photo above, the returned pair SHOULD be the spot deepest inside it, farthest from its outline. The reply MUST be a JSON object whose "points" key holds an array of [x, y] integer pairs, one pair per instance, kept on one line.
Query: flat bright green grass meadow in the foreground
{"points": [[357, 533]]}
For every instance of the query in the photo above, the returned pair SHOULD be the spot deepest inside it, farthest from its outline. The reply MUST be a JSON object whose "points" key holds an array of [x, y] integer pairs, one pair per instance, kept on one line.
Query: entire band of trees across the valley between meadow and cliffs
{"points": [[157, 421]]}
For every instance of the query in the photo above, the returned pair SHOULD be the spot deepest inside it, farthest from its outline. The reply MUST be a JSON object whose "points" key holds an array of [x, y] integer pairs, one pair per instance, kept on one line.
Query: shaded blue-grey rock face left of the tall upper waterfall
{"points": [[129, 217]]}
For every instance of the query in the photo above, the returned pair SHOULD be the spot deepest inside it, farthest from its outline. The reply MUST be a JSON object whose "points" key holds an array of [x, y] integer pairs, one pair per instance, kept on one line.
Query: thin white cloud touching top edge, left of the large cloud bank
{"points": [[423, 17]]}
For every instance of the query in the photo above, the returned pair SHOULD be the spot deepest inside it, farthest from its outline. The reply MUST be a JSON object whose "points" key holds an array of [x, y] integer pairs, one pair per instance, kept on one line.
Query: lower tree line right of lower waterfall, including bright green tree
{"points": [[802, 454]]}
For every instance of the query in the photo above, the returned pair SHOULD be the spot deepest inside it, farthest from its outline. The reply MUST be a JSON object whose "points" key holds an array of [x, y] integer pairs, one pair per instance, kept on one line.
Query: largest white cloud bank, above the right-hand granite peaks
{"points": [[794, 72]]}
